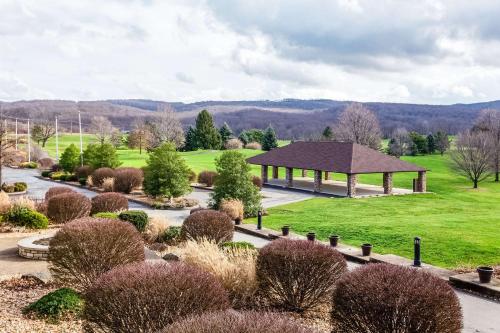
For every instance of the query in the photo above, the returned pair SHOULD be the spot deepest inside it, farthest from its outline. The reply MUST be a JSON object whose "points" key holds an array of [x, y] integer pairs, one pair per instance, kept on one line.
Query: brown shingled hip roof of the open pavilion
{"points": [[343, 157]]}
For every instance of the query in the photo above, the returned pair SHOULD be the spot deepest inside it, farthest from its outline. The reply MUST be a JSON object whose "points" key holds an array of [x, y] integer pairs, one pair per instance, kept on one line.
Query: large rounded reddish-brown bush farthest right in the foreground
{"points": [[388, 298]]}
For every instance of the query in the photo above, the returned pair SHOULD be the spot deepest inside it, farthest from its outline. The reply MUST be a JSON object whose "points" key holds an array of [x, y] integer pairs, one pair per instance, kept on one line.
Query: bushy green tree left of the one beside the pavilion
{"points": [[166, 173]]}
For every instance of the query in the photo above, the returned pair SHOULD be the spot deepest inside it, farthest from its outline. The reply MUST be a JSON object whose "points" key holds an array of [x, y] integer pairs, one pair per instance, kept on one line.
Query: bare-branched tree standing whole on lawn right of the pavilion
{"points": [[472, 156]]}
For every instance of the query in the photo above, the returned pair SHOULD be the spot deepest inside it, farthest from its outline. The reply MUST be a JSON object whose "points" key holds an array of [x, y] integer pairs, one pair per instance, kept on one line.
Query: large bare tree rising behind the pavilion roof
{"points": [[359, 125]]}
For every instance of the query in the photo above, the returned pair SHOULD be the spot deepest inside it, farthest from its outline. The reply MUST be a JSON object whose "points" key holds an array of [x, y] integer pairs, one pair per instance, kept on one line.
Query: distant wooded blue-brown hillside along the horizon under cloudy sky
{"points": [[292, 118]]}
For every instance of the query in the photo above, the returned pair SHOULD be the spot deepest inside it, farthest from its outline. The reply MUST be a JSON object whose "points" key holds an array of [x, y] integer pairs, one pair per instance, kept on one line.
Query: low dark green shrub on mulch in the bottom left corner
{"points": [[56, 305]]}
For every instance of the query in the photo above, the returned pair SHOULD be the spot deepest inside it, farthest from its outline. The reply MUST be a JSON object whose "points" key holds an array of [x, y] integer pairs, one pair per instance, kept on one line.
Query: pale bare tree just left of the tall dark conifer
{"points": [[165, 127]]}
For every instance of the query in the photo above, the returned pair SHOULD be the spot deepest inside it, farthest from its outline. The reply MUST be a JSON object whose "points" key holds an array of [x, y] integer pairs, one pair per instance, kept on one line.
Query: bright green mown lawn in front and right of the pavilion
{"points": [[458, 225]]}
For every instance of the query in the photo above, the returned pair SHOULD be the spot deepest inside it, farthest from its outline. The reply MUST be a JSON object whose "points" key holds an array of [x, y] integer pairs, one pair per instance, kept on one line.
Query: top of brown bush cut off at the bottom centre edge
{"points": [[238, 322]]}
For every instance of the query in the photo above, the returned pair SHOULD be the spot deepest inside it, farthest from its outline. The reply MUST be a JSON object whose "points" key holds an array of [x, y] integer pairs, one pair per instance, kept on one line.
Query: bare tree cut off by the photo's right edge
{"points": [[489, 123]]}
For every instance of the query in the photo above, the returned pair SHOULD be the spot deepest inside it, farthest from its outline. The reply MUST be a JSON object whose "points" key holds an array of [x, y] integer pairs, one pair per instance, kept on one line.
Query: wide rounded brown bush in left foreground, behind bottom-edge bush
{"points": [[146, 297]]}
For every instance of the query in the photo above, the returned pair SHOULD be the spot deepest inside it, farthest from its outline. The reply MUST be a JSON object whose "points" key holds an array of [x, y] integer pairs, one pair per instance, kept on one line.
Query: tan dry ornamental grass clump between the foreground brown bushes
{"points": [[234, 268]]}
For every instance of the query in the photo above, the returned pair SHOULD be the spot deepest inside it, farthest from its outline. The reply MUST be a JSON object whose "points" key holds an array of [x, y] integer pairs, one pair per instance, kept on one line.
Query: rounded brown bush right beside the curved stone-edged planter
{"points": [[86, 248]]}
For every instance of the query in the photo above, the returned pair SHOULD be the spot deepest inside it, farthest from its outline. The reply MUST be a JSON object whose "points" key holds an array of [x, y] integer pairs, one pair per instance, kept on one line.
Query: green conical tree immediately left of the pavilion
{"points": [[234, 181]]}
